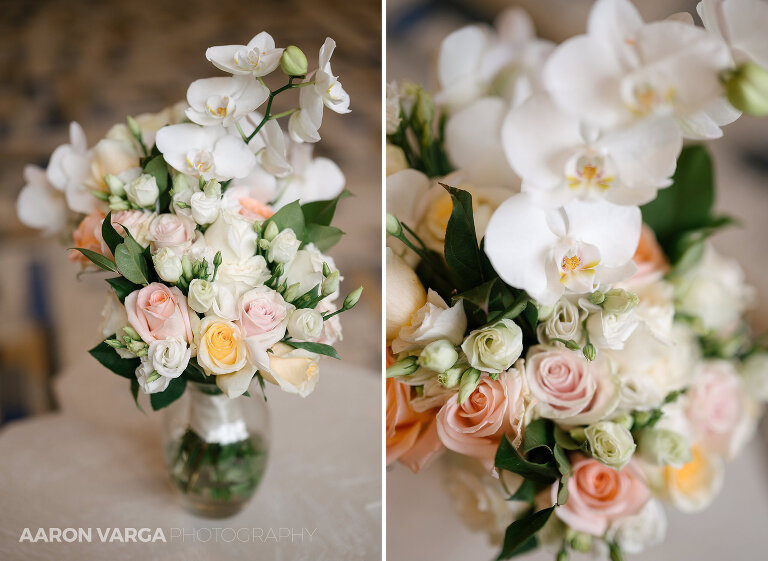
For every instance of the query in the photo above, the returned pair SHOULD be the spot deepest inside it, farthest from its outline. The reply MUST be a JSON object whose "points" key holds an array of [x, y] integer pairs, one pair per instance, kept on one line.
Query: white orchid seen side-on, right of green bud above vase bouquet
{"points": [[325, 91]]}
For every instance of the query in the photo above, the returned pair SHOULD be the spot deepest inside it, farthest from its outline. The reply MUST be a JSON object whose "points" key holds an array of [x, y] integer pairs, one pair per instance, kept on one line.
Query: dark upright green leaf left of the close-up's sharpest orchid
{"points": [[461, 250]]}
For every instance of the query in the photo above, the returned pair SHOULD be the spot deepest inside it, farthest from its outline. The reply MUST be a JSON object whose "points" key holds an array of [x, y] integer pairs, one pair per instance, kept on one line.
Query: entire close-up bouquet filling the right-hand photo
{"points": [[556, 316]]}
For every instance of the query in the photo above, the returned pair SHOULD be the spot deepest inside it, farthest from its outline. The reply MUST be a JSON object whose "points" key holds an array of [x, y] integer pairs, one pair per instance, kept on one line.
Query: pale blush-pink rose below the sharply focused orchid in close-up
{"points": [[569, 388]]}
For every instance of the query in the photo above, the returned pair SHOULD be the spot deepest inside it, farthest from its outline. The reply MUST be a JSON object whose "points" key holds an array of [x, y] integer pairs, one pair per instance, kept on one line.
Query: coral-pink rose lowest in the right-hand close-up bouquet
{"points": [[598, 495]]}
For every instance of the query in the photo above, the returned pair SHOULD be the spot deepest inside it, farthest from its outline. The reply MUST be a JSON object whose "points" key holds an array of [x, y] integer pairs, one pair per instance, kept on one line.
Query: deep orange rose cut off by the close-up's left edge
{"points": [[411, 437]]}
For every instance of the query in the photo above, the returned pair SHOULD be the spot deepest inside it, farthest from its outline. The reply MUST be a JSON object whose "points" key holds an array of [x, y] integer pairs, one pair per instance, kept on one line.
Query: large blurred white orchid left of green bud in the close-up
{"points": [[624, 70]]}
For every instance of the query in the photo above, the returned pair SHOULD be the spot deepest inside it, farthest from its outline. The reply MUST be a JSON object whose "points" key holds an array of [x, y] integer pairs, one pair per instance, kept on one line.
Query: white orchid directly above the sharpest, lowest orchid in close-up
{"points": [[559, 159]]}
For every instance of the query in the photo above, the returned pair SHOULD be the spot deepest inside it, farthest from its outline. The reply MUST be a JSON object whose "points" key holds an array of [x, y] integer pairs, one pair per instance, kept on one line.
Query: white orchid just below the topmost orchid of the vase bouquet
{"points": [[225, 101]]}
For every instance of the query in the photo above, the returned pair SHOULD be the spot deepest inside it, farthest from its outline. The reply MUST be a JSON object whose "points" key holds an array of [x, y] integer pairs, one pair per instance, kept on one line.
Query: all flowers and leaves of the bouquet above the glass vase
{"points": [[216, 223]]}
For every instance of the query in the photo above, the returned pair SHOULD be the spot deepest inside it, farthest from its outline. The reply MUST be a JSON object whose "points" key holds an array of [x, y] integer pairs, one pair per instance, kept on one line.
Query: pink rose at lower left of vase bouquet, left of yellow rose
{"points": [[158, 312]]}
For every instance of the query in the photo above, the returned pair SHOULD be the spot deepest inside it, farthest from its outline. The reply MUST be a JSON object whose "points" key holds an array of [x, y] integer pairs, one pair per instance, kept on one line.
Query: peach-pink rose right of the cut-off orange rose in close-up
{"points": [[494, 409]]}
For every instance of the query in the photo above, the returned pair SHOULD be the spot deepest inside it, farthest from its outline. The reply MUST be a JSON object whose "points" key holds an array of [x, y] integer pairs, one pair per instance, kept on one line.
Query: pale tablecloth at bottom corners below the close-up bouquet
{"points": [[423, 525]]}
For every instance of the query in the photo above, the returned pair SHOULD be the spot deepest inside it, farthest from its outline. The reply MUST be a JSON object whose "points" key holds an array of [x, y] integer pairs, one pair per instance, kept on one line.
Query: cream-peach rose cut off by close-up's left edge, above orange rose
{"points": [[405, 294]]}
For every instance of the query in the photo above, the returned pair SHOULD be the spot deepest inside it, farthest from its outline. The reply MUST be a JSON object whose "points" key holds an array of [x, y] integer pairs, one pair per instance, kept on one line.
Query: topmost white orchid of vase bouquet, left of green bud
{"points": [[258, 58]]}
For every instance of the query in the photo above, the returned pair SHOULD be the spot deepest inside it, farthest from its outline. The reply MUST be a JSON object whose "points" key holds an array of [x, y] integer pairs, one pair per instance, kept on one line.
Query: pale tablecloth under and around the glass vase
{"points": [[97, 464]]}
